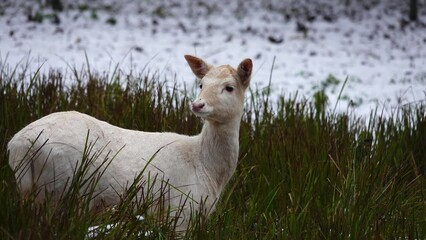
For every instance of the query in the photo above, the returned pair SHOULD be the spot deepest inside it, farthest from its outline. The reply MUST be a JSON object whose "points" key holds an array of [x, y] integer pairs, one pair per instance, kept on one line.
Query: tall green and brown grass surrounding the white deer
{"points": [[303, 172]]}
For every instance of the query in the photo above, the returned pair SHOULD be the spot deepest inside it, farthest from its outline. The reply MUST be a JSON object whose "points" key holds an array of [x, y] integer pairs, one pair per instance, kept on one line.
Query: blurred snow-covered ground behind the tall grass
{"points": [[382, 55]]}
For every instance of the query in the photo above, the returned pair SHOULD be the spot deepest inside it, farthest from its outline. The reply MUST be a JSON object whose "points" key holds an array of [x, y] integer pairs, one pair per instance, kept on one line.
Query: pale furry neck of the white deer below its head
{"points": [[219, 150]]}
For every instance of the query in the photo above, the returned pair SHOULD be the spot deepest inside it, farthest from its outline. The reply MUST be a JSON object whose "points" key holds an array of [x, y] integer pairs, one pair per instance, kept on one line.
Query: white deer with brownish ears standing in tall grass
{"points": [[199, 166]]}
